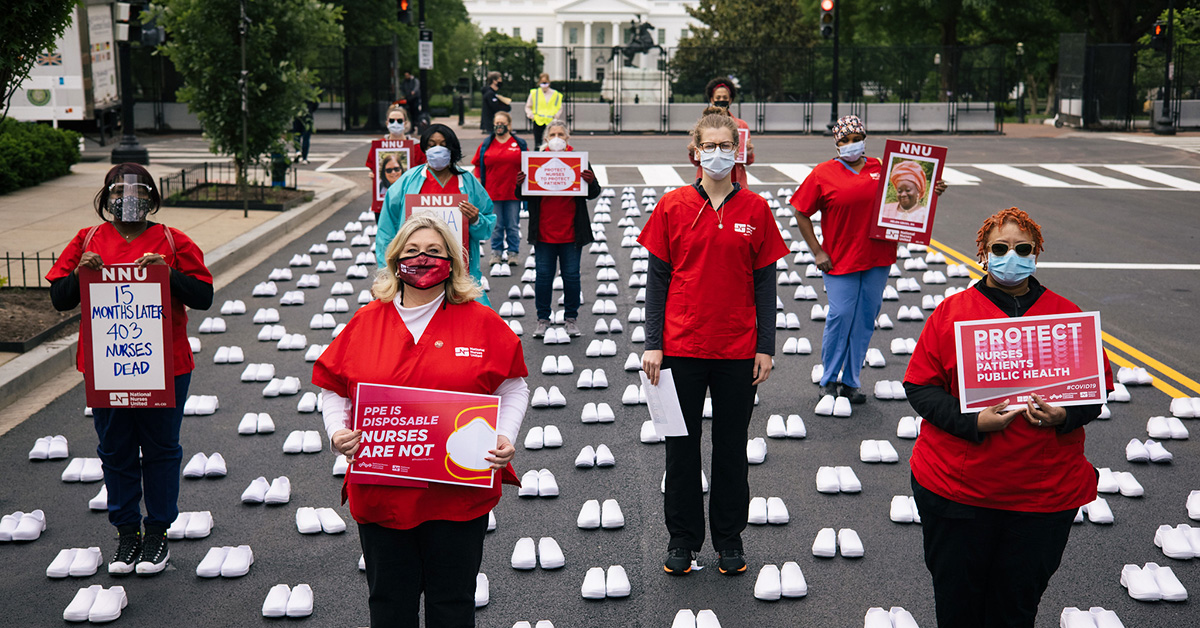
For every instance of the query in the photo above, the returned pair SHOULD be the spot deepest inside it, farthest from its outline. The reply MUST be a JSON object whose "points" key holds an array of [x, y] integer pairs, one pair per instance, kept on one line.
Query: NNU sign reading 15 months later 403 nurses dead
{"points": [[125, 336]]}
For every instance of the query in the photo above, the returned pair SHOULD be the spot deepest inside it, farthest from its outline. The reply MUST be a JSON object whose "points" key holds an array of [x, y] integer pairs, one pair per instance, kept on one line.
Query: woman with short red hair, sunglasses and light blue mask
{"points": [[997, 491]]}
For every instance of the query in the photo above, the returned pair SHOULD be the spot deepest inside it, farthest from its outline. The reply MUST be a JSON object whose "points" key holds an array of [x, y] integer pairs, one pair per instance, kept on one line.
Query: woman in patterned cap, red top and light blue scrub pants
{"points": [[855, 266]]}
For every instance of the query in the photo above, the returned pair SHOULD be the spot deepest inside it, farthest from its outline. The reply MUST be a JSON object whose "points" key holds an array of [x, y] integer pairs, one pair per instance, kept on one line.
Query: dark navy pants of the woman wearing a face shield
{"points": [[157, 475]]}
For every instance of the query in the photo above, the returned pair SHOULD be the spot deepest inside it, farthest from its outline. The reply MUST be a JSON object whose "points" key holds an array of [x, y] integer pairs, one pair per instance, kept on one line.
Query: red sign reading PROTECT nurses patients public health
{"points": [[1059, 357]]}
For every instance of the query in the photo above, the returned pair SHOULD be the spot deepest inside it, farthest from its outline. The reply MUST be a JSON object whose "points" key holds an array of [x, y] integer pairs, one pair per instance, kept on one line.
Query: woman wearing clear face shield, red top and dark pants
{"points": [[127, 237]]}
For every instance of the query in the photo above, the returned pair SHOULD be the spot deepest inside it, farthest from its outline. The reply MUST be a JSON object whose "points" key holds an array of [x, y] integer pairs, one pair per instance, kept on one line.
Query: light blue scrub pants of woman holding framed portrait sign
{"points": [[855, 301]]}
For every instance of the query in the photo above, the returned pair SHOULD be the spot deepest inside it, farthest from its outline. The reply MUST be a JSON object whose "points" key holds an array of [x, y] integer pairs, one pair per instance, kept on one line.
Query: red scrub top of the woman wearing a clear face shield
{"points": [[112, 249]]}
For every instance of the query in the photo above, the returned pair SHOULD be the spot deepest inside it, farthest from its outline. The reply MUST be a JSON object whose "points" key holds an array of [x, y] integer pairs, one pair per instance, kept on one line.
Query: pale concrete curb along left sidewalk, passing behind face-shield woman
{"points": [[31, 370]]}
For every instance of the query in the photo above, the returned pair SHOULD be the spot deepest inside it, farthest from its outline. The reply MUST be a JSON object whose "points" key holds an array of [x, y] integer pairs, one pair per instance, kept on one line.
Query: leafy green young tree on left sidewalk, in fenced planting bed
{"points": [[284, 40]]}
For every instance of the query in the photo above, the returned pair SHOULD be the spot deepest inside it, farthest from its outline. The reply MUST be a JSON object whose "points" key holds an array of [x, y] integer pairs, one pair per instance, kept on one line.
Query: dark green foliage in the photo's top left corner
{"points": [[28, 28]]}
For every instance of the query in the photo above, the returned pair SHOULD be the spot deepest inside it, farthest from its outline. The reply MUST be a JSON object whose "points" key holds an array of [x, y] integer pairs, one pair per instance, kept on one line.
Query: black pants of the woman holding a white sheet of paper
{"points": [[729, 503]]}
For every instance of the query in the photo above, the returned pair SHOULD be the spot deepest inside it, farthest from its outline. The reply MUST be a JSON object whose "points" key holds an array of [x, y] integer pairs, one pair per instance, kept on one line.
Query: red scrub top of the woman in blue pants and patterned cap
{"points": [[847, 202]]}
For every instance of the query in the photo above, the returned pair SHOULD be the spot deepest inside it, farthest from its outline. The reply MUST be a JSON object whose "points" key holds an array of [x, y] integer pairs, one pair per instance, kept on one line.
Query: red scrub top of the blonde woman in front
{"points": [[376, 348]]}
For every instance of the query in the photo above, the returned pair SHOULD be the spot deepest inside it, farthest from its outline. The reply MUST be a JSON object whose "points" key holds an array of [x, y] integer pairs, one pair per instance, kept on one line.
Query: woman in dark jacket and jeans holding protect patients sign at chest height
{"points": [[560, 226]]}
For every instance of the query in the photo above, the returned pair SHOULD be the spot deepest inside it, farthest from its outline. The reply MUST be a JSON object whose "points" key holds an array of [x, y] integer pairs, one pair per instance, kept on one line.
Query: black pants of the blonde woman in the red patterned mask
{"points": [[439, 559]]}
